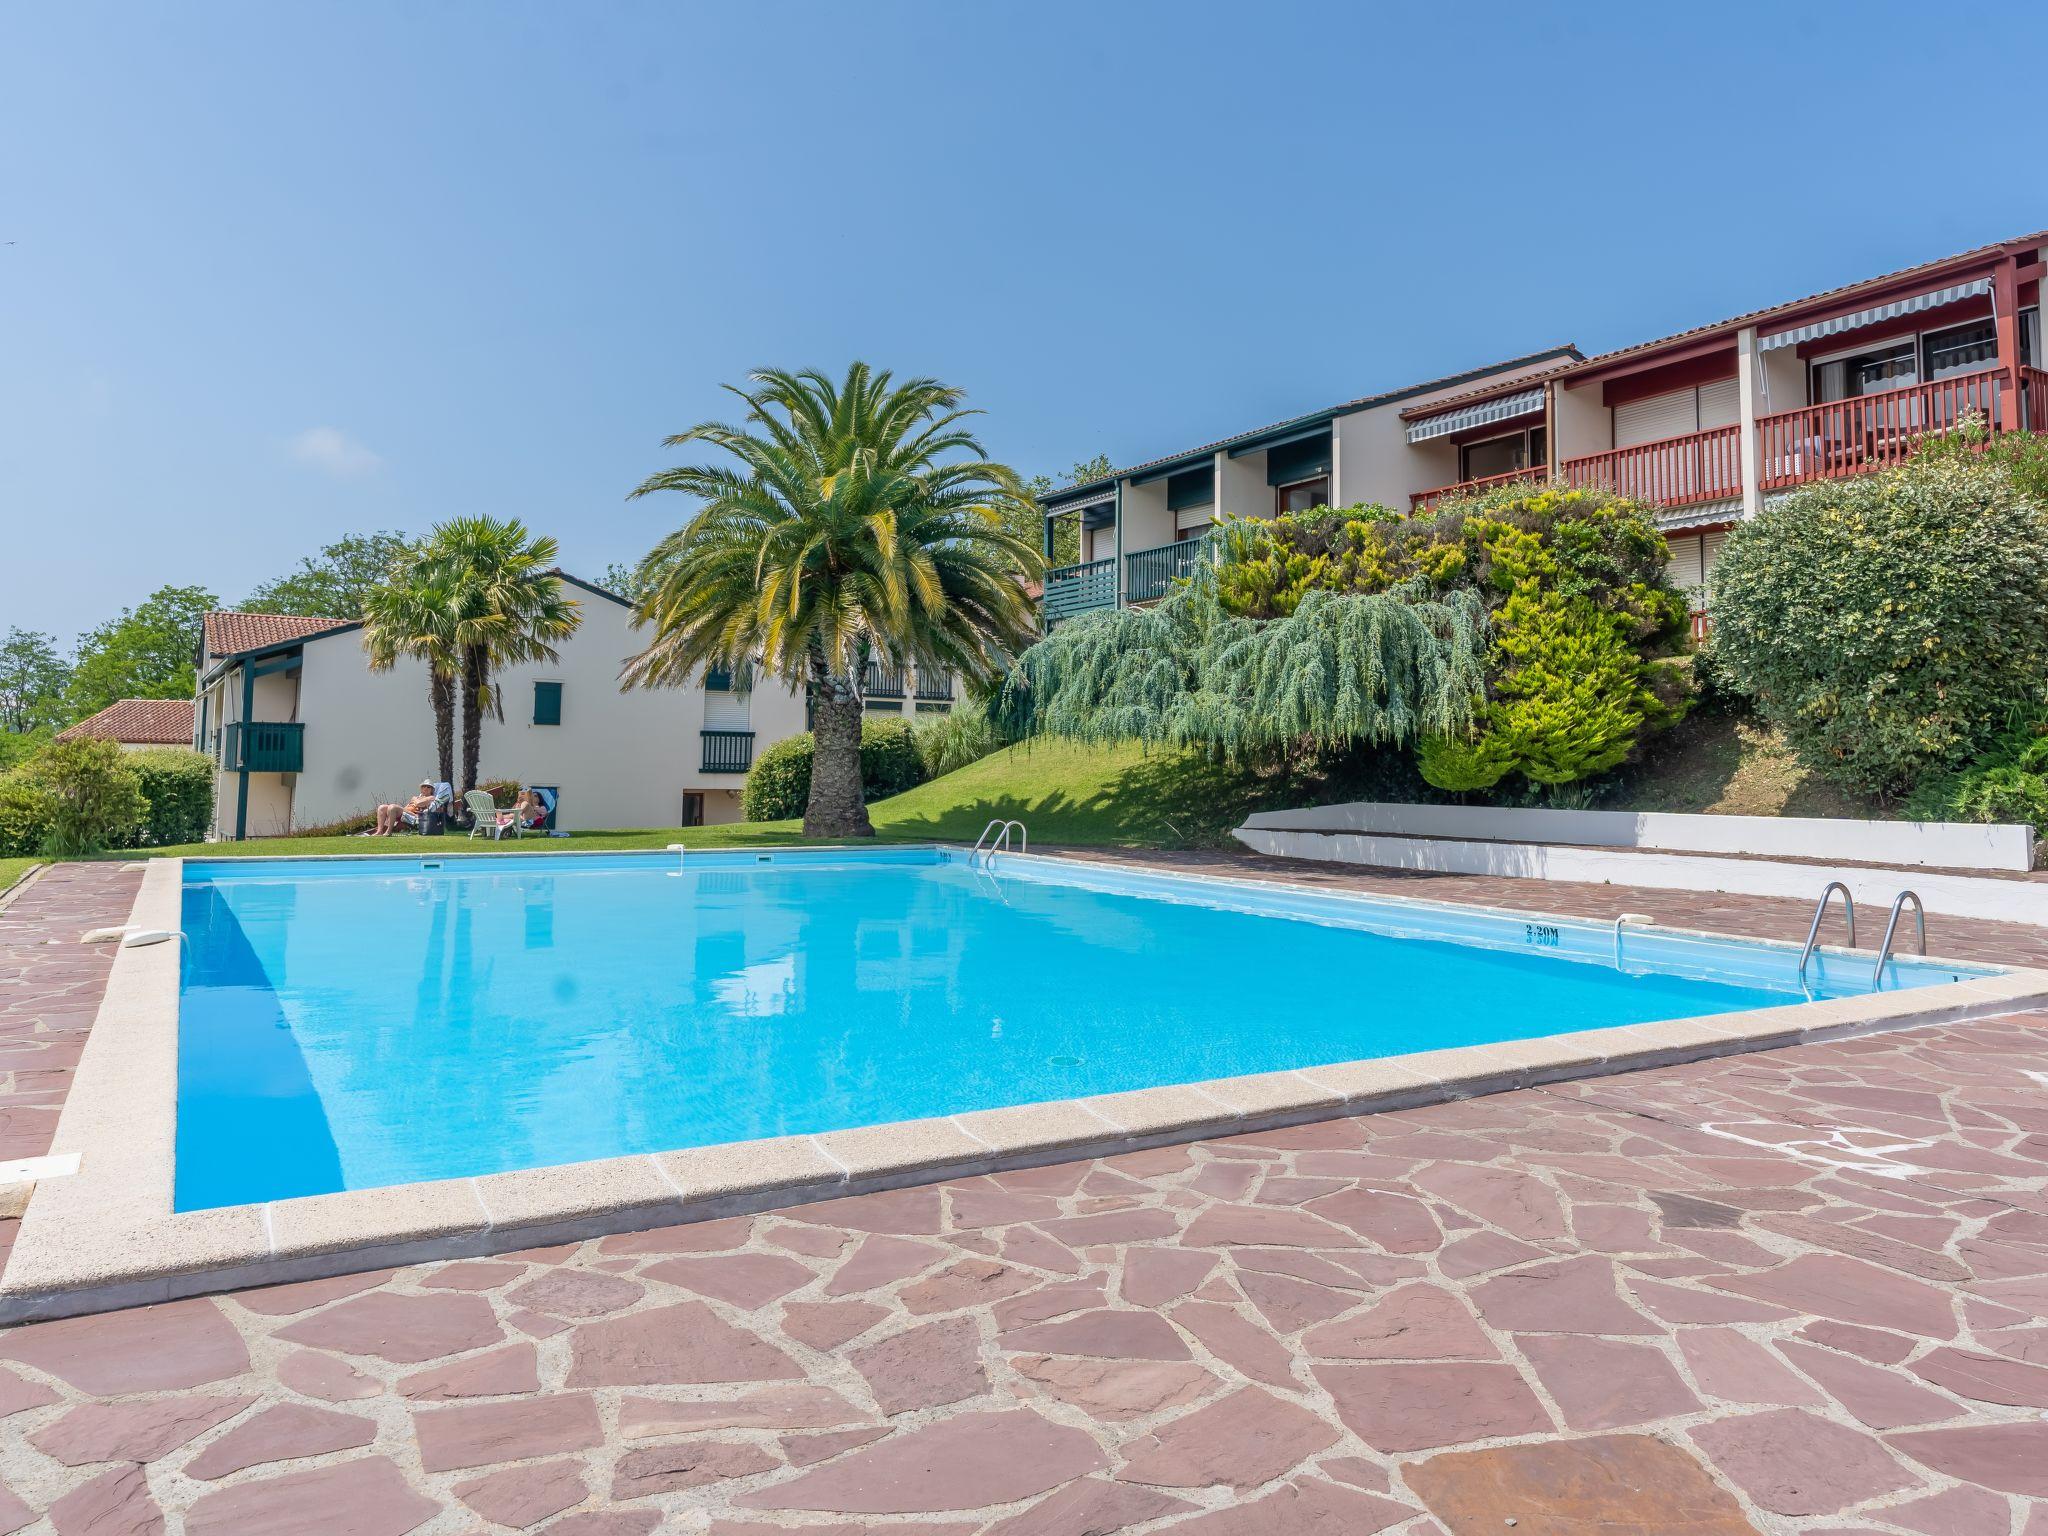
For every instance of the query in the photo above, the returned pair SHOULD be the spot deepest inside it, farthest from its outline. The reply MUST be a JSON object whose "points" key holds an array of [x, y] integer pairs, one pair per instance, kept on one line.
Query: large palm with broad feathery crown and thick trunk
{"points": [[849, 529]]}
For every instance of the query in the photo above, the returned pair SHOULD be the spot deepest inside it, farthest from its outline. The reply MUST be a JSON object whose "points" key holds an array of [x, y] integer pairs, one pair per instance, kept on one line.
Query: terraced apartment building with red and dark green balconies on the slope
{"points": [[1705, 425]]}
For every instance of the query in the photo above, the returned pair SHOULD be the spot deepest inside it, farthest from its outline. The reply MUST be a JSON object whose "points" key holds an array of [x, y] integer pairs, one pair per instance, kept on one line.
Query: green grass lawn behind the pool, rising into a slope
{"points": [[1064, 794]]}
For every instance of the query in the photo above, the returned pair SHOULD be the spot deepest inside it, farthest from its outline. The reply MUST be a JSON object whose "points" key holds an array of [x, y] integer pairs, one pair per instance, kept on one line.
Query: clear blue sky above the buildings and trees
{"points": [[286, 271]]}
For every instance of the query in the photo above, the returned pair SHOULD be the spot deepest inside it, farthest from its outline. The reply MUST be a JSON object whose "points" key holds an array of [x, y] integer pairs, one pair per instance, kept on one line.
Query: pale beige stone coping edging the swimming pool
{"points": [[108, 1236]]}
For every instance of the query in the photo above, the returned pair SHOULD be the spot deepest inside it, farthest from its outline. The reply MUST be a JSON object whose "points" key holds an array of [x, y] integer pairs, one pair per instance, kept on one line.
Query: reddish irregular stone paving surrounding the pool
{"points": [[1799, 1291]]}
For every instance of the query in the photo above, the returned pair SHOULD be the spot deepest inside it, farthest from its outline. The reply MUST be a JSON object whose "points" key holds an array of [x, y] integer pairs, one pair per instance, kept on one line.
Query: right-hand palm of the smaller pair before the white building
{"points": [[507, 607]]}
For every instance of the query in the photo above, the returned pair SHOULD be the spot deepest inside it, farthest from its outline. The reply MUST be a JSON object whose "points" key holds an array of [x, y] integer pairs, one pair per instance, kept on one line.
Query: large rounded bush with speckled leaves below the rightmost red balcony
{"points": [[1891, 624]]}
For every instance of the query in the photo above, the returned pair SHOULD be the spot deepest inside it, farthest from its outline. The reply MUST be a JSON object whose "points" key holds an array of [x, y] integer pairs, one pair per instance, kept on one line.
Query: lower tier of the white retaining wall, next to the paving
{"points": [[1957, 896]]}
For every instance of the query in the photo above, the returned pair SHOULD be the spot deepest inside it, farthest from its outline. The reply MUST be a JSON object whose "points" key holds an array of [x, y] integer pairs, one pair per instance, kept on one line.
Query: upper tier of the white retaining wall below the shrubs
{"points": [[1945, 845]]}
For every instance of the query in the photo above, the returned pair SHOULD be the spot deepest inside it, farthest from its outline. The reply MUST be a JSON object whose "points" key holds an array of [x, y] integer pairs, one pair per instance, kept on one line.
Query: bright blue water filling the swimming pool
{"points": [[361, 1023]]}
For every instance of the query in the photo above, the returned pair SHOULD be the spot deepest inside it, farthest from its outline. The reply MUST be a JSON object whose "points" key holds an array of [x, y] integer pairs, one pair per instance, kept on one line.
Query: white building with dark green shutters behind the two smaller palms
{"points": [[308, 736]]}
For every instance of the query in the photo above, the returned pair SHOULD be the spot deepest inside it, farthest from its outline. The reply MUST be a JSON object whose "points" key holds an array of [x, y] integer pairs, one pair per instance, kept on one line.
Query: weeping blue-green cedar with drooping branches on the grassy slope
{"points": [[1338, 671]]}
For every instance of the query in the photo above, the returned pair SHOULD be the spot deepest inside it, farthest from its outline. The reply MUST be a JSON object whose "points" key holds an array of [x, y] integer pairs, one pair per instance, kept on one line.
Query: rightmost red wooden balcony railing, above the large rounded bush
{"points": [[1846, 437]]}
